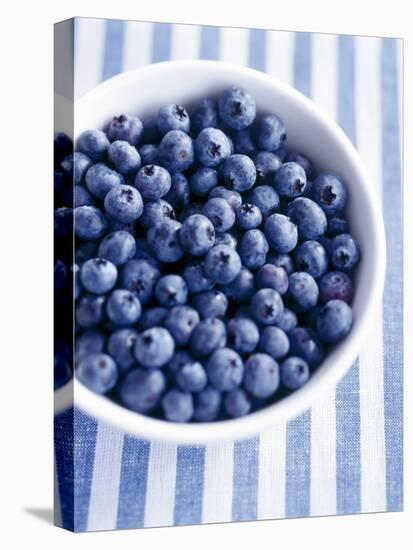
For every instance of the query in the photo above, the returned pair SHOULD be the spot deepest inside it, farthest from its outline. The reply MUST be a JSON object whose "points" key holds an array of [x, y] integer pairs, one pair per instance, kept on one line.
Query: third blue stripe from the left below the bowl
{"points": [[189, 485]]}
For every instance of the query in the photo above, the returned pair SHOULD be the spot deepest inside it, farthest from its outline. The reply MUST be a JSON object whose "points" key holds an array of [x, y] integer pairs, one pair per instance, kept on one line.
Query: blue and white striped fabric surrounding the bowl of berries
{"points": [[345, 454]]}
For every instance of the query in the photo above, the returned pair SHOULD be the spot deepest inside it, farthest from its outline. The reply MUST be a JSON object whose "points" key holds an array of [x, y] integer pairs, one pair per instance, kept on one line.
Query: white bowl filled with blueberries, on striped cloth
{"points": [[229, 252]]}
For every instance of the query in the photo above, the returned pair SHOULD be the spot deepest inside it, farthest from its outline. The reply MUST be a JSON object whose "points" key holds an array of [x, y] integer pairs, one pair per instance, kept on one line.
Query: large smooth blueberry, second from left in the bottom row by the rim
{"points": [[142, 389]]}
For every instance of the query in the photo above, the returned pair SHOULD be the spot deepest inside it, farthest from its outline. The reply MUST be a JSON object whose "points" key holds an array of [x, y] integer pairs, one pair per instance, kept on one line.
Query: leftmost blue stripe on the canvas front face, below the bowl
{"points": [[85, 430]]}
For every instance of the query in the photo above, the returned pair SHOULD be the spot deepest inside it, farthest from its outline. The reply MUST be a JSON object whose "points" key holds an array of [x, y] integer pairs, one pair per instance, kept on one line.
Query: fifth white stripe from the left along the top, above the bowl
{"points": [[280, 50]]}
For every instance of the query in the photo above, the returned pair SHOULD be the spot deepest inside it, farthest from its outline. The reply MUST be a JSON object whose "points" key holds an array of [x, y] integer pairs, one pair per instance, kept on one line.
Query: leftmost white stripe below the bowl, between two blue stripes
{"points": [[104, 493]]}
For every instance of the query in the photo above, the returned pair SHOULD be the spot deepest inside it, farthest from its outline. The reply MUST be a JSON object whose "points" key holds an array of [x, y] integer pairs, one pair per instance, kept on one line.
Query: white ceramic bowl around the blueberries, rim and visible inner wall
{"points": [[309, 131]]}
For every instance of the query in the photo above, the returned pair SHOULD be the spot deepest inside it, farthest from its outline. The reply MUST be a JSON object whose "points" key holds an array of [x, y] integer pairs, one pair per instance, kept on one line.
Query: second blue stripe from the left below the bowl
{"points": [[133, 480]]}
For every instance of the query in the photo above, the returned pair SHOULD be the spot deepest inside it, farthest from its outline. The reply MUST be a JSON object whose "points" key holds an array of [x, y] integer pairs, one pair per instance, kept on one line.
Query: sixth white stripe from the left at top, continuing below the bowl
{"points": [[323, 413]]}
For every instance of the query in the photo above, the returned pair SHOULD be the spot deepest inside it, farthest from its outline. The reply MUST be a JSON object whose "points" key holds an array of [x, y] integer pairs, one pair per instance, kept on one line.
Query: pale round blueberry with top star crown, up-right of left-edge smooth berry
{"points": [[124, 204]]}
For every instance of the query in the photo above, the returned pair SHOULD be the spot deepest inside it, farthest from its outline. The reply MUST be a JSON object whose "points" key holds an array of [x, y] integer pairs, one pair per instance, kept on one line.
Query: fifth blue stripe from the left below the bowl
{"points": [[298, 466]]}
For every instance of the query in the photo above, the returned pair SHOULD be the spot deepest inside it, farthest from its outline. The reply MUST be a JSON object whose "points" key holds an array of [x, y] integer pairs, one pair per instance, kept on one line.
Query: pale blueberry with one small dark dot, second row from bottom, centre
{"points": [[225, 369]]}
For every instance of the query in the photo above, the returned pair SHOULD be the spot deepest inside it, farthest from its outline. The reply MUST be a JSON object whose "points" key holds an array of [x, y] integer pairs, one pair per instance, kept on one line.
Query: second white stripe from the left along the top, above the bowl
{"points": [[138, 45]]}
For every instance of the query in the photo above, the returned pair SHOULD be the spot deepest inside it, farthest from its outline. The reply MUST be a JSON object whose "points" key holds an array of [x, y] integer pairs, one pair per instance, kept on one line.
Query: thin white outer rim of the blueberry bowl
{"points": [[295, 403]]}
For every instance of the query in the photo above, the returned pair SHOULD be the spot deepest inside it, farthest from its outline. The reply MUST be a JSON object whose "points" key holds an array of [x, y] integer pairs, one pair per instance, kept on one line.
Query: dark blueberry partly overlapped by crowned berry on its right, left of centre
{"points": [[165, 242]]}
